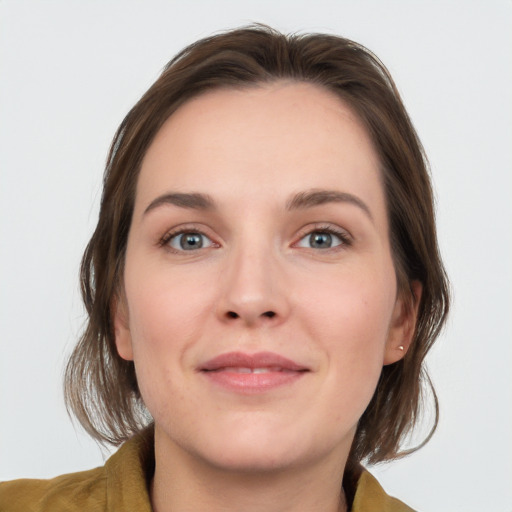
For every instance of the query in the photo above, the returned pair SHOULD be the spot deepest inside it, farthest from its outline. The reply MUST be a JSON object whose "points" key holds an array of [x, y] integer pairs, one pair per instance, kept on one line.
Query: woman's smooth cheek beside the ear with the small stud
{"points": [[350, 320]]}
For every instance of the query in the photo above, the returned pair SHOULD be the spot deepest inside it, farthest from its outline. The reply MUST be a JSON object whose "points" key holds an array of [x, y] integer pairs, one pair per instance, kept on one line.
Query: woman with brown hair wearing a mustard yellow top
{"points": [[263, 286]]}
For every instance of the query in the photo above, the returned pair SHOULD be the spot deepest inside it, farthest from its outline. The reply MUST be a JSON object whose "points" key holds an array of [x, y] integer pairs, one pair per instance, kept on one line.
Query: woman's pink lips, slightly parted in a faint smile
{"points": [[252, 373]]}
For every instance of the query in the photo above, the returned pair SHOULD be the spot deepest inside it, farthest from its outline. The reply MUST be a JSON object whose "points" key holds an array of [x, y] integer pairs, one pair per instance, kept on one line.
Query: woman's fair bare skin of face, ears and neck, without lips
{"points": [[333, 310]]}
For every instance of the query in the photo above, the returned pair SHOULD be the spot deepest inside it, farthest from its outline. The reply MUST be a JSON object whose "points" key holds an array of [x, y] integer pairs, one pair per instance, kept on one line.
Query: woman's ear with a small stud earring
{"points": [[403, 325]]}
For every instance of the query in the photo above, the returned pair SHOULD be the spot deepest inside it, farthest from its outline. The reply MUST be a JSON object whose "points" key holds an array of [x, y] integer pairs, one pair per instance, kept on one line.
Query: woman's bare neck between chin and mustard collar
{"points": [[183, 482]]}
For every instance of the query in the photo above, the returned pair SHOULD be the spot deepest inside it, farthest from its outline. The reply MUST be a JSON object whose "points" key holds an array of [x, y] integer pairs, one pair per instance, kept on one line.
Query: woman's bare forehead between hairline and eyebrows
{"points": [[269, 140]]}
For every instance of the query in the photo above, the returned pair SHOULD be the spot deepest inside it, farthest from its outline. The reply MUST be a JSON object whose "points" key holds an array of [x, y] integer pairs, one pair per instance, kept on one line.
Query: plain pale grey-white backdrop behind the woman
{"points": [[69, 72]]}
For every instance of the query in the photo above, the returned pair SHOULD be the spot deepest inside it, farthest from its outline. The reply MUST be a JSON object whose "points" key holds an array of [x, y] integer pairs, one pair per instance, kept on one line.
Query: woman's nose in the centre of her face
{"points": [[253, 289]]}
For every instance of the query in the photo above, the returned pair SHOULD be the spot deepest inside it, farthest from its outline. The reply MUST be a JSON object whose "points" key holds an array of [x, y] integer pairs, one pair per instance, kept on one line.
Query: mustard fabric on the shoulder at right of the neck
{"points": [[371, 497]]}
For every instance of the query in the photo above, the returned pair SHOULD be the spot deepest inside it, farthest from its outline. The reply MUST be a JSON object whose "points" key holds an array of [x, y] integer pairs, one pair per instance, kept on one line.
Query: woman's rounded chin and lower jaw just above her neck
{"points": [[258, 443]]}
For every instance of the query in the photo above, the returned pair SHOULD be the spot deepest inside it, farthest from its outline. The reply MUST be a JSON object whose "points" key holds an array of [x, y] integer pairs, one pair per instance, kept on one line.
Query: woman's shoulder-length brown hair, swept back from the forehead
{"points": [[101, 387]]}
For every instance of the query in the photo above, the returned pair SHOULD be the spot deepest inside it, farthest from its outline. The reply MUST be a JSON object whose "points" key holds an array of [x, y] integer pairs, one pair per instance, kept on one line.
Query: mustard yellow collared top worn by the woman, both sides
{"points": [[122, 485]]}
